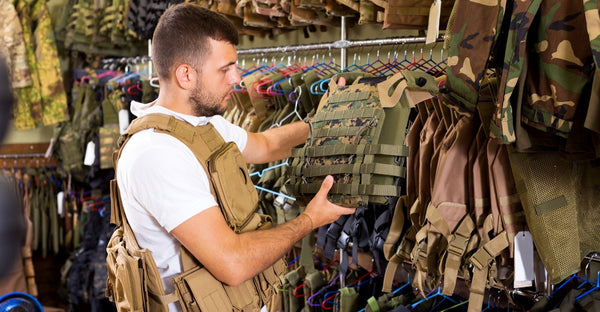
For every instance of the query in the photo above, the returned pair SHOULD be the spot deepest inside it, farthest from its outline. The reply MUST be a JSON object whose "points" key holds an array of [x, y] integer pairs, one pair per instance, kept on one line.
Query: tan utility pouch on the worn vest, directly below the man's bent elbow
{"points": [[198, 290]]}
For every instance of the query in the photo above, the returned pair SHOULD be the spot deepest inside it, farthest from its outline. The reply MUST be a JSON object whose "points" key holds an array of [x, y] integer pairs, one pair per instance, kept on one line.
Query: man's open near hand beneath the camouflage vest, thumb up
{"points": [[320, 210]]}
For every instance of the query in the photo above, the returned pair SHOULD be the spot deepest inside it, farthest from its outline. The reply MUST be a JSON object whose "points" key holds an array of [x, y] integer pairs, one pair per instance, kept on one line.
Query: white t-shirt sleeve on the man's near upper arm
{"points": [[169, 181]]}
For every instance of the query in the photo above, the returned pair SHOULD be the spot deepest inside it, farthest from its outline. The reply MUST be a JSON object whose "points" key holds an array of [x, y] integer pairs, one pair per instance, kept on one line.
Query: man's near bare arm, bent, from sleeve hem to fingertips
{"points": [[234, 258]]}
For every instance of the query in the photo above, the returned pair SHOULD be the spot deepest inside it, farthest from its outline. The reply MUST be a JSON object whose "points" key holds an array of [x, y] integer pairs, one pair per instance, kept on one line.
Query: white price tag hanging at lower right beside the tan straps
{"points": [[524, 262]]}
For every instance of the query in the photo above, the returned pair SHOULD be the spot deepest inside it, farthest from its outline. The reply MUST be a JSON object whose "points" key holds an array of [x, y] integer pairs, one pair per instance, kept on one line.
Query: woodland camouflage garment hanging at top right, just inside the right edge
{"points": [[549, 31]]}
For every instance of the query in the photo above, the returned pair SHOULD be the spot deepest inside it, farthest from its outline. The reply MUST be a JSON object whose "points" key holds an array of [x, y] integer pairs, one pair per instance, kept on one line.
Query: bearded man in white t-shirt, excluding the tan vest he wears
{"points": [[166, 192]]}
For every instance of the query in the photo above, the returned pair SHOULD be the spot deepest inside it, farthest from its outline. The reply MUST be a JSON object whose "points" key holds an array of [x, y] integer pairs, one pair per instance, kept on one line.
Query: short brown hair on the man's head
{"points": [[182, 33]]}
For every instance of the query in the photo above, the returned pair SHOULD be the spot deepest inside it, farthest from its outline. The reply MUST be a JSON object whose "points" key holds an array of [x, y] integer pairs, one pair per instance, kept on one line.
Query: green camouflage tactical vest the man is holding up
{"points": [[357, 136]]}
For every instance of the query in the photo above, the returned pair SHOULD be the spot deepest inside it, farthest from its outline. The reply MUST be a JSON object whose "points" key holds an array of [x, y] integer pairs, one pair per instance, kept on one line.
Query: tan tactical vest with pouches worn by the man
{"points": [[134, 283]]}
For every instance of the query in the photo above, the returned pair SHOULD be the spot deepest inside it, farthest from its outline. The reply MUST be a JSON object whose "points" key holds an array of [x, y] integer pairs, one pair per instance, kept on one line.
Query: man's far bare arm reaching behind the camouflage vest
{"points": [[275, 143]]}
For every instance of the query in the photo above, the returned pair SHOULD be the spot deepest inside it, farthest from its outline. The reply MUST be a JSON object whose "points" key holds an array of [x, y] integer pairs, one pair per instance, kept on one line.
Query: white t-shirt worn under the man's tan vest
{"points": [[162, 185]]}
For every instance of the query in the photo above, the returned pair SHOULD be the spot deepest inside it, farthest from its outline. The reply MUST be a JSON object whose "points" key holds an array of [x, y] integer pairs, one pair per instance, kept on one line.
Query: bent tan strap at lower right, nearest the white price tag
{"points": [[481, 261]]}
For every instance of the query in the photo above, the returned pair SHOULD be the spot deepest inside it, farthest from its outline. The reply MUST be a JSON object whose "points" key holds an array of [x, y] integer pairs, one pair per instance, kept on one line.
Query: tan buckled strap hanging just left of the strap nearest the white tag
{"points": [[456, 249]]}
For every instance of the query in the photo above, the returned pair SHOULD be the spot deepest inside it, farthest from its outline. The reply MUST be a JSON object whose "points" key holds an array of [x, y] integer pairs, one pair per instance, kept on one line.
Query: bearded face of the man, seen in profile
{"points": [[215, 80]]}
